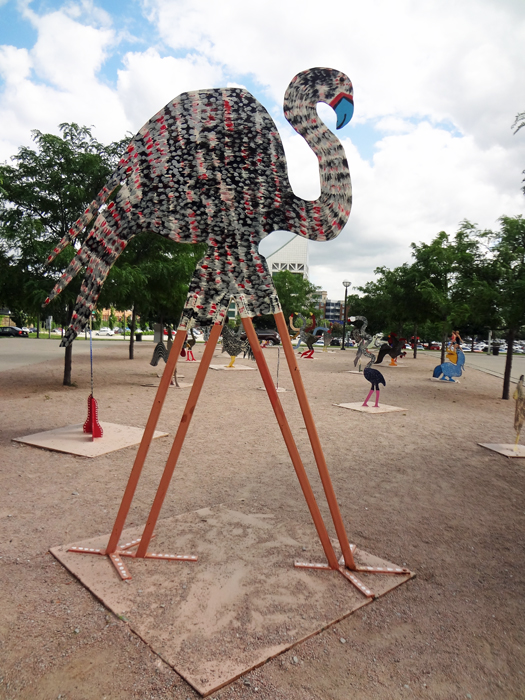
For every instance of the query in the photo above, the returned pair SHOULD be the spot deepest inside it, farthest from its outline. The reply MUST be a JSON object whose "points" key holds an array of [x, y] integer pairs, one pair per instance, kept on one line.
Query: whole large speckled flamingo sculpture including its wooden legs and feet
{"points": [[210, 167]]}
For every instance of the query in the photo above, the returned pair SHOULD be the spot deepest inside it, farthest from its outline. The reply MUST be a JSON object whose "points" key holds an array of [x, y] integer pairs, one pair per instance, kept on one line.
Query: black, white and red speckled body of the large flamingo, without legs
{"points": [[210, 167]]}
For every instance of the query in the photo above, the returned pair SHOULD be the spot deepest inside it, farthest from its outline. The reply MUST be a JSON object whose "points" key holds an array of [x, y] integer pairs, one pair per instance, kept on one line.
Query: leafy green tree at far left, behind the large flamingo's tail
{"points": [[42, 194]]}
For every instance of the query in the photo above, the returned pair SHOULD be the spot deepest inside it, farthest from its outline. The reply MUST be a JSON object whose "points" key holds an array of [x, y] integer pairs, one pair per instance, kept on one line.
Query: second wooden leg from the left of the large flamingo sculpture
{"points": [[178, 441]]}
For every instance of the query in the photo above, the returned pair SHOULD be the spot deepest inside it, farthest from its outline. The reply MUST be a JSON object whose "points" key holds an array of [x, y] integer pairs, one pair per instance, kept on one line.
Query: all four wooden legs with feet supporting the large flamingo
{"points": [[346, 565]]}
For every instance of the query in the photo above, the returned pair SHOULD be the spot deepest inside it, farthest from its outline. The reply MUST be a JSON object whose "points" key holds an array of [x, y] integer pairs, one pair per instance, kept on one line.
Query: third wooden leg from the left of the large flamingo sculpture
{"points": [[290, 442]]}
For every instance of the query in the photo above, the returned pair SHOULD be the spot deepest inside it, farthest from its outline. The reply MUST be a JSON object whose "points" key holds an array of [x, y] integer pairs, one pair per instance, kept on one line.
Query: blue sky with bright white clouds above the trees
{"points": [[437, 86]]}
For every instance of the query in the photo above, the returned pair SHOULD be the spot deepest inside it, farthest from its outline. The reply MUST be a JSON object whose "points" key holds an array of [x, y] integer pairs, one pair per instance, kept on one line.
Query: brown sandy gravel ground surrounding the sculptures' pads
{"points": [[413, 486]]}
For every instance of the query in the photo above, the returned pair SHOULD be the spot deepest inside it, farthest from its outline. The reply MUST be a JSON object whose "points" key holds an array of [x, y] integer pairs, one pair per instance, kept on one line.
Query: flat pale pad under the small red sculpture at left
{"points": [[73, 440]]}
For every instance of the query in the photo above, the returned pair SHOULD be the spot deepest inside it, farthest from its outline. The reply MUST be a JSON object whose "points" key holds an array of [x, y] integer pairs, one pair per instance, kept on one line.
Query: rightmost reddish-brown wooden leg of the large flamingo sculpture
{"points": [[315, 442]]}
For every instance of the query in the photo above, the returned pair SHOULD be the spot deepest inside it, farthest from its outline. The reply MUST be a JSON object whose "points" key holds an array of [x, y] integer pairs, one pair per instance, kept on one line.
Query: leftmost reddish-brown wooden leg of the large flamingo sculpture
{"points": [[145, 443]]}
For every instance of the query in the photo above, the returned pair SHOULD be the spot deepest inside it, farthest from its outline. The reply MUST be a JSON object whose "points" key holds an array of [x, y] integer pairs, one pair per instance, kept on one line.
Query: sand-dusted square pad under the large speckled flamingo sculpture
{"points": [[240, 604]]}
